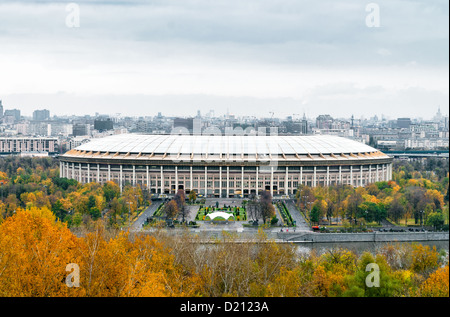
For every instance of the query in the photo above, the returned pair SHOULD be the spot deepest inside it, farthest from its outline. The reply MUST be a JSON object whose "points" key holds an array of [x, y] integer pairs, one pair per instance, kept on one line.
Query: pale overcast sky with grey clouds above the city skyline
{"points": [[247, 57]]}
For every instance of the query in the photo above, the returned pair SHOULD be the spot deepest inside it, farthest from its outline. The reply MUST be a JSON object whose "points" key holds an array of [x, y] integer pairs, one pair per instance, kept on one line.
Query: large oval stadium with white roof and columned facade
{"points": [[225, 166]]}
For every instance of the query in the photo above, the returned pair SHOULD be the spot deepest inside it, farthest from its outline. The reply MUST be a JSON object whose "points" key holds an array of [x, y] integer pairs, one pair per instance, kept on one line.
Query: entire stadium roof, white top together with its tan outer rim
{"points": [[218, 148]]}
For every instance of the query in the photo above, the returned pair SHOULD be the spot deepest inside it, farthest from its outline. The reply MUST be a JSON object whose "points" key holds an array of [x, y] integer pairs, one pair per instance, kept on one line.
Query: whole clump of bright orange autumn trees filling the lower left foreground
{"points": [[35, 250]]}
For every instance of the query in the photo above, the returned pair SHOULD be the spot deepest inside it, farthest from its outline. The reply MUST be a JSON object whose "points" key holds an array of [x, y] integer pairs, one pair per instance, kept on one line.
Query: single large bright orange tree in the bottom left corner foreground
{"points": [[34, 252]]}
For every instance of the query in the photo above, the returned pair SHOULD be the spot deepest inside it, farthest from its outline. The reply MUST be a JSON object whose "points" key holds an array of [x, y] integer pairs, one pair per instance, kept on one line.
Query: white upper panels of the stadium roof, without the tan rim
{"points": [[231, 145]]}
